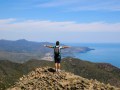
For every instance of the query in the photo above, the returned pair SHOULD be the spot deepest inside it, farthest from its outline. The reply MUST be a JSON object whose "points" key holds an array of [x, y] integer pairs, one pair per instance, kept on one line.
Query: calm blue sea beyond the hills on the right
{"points": [[102, 53]]}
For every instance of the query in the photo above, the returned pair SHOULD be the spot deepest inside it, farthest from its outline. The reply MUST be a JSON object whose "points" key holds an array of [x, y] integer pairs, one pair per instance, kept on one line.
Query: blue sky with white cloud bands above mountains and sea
{"points": [[69, 21]]}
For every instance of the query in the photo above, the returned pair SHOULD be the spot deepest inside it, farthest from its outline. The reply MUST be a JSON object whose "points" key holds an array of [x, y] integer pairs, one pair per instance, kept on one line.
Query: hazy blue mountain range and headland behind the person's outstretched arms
{"points": [[23, 50]]}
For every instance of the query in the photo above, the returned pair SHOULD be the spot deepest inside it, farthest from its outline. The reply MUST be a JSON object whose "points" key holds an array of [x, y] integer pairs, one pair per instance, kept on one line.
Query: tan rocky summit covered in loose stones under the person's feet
{"points": [[47, 79]]}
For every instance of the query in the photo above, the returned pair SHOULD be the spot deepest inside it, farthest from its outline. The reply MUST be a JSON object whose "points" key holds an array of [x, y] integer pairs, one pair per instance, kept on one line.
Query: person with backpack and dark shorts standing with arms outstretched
{"points": [[57, 54]]}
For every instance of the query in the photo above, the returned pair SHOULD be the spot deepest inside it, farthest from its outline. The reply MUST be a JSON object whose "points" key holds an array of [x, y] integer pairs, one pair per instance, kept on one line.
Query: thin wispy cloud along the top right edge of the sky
{"points": [[78, 5]]}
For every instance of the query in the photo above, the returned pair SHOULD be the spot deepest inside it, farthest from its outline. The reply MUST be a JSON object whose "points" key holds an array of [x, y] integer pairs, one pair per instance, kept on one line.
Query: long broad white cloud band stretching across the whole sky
{"points": [[53, 26]]}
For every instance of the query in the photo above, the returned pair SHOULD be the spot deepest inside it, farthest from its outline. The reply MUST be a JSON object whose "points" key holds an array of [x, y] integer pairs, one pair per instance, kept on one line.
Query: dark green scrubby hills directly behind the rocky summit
{"points": [[10, 72]]}
